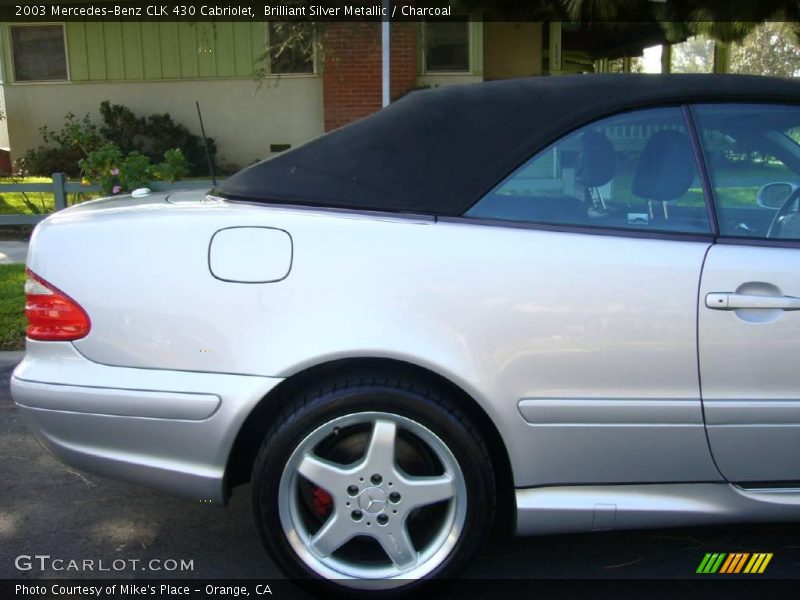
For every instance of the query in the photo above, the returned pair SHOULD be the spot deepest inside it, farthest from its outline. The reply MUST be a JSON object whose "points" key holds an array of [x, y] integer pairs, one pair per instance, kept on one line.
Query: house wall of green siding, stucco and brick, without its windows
{"points": [[154, 67]]}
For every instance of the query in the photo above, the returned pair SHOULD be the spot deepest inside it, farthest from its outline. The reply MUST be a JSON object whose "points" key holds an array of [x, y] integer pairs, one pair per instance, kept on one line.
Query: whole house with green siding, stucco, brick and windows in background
{"points": [[50, 69]]}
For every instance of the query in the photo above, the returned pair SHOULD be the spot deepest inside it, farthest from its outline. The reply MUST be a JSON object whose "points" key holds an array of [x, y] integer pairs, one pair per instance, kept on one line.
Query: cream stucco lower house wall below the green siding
{"points": [[243, 119]]}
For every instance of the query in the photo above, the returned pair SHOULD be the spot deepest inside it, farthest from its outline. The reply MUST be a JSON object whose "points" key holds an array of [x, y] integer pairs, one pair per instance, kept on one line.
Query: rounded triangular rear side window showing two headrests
{"points": [[631, 171]]}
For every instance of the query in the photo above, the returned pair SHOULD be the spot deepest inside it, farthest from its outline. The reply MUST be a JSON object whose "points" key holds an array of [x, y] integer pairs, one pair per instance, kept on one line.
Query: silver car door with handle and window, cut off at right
{"points": [[749, 317]]}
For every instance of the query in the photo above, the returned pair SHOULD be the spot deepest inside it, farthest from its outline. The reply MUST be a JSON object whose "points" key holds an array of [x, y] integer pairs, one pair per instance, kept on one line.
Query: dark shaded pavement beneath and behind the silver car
{"points": [[49, 508]]}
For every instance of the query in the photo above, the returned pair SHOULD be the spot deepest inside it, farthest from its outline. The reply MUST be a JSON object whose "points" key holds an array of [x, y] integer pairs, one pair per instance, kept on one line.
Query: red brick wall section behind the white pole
{"points": [[352, 69]]}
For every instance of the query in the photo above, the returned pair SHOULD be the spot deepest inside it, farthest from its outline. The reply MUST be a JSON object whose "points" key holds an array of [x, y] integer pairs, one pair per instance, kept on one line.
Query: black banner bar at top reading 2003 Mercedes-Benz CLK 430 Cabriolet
{"points": [[32, 11]]}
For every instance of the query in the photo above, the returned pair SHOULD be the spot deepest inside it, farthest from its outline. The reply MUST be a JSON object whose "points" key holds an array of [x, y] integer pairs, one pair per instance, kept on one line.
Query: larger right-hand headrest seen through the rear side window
{"points": [[666, 167]]}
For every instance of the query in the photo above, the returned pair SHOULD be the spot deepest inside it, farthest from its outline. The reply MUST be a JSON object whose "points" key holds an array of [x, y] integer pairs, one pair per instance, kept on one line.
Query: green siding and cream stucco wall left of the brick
{"points": [[166, 67]]}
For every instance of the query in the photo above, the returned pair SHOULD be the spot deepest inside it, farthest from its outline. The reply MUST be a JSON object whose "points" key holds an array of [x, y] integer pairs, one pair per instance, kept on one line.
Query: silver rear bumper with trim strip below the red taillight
{"points": [[168, 430]]}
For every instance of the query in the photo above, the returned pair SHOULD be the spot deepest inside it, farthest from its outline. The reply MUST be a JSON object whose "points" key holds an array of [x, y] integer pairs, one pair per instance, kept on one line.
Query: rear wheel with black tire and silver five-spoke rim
{"points": [[337, 423]]}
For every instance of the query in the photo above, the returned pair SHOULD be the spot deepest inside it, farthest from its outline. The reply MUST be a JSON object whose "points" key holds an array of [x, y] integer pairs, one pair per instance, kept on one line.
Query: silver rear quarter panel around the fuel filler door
{"points": [[507, 314]]}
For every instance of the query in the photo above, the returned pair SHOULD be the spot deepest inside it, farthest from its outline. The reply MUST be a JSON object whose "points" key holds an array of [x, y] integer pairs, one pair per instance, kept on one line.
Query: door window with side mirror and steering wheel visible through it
{"points": [[753, 159]]}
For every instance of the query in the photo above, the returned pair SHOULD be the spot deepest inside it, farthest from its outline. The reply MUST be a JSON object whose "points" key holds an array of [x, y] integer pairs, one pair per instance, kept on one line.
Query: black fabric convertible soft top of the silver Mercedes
{"points": [[438, 151]]}
